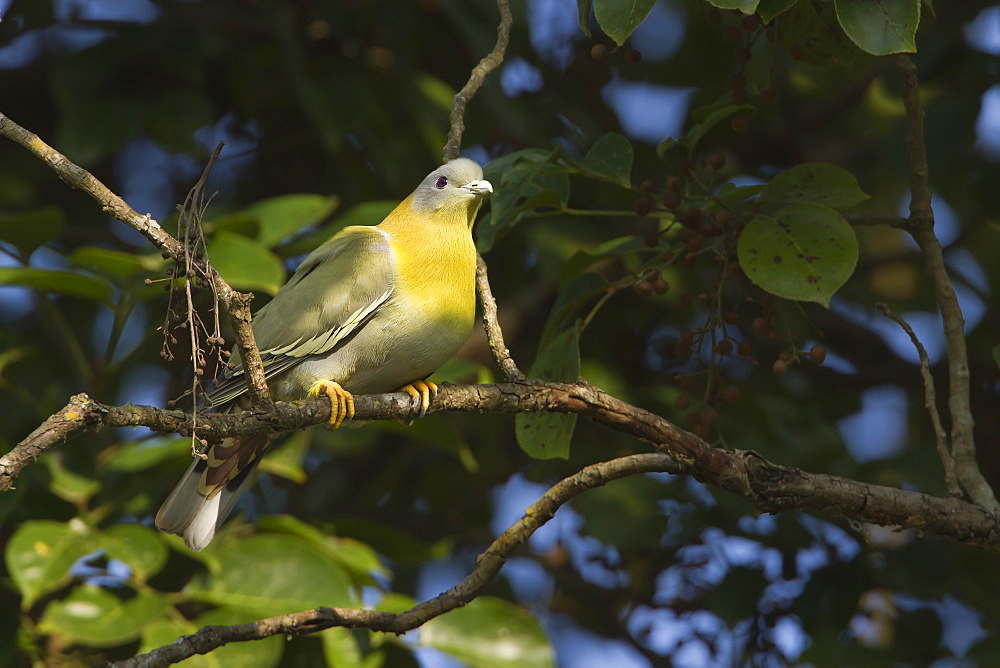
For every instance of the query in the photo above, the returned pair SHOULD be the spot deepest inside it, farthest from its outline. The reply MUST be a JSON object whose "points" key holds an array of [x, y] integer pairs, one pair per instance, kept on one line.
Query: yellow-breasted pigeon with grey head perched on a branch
{"points": [[374, 309]]}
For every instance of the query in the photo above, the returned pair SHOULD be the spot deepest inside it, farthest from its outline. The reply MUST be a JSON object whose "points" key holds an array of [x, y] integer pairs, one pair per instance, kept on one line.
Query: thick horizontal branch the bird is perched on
{"points": [[772, 488]]}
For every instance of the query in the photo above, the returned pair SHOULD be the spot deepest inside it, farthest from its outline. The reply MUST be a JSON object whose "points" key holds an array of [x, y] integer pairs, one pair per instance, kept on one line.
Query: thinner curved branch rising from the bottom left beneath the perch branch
{"points": [[487, 566]]}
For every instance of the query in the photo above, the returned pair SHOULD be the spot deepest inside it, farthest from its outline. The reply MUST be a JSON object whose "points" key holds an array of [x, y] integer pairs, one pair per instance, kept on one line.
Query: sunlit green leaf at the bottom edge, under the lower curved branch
{"points": [[490, 632]]}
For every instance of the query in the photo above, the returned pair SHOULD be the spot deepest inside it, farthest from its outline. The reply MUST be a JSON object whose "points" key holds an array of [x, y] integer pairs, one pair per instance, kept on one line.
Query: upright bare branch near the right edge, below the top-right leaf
{"points": [[921, 226]]}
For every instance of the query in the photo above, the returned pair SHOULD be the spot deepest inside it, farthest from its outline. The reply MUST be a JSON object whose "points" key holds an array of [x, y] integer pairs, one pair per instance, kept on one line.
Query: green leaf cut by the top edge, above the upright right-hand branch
{"points": [[880, 27]]}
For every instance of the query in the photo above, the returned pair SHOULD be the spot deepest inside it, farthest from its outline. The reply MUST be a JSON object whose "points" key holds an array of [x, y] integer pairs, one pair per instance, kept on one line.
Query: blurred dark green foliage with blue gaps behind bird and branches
{"points": [[345, 105]]}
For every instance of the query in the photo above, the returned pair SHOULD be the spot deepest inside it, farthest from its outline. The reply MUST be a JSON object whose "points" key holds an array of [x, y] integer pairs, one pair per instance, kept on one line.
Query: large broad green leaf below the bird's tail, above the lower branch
{"points": [[271, 574]]}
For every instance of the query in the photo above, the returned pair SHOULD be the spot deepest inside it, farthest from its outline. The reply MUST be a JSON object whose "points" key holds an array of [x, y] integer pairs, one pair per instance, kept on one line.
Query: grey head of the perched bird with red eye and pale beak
{"points": [[454, 187]]}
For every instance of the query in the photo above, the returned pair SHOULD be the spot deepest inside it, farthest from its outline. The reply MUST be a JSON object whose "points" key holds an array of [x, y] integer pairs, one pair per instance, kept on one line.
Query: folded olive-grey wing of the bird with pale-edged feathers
{"points": [[333, 293]]}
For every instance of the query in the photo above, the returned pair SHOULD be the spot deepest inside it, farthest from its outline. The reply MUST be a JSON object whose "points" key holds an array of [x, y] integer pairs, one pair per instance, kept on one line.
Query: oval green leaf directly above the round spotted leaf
{"points": [[814, 183]]}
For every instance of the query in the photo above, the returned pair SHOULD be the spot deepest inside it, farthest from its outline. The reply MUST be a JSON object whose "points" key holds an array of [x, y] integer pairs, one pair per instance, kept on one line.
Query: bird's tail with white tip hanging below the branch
{"points": [[207, 492]]}
